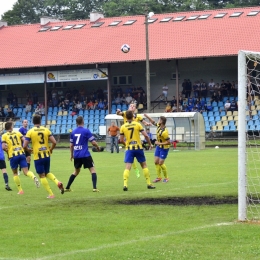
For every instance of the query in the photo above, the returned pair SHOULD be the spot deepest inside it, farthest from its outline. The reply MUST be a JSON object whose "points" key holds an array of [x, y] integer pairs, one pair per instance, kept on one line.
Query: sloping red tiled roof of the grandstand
{"points": [[24, 46]]}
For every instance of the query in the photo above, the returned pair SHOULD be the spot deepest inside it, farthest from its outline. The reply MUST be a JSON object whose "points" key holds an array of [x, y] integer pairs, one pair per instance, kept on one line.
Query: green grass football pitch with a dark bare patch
{"points": [[193, 216]]}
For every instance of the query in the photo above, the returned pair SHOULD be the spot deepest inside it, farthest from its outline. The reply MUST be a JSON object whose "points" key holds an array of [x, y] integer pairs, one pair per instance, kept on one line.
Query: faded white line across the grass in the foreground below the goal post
{"points": [[142, 239]]}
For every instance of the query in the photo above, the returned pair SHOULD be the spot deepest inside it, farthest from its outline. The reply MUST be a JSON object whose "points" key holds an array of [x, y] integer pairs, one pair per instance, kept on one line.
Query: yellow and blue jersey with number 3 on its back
{"points": [[39, 136]]}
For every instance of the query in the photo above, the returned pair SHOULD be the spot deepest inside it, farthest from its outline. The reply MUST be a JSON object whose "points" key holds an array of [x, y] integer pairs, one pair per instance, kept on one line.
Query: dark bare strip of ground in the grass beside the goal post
{"points": [[181, 201]]}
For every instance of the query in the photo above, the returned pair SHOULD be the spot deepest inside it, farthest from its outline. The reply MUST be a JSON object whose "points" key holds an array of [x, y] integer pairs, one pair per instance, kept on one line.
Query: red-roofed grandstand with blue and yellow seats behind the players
{"points": [[85, 56]]}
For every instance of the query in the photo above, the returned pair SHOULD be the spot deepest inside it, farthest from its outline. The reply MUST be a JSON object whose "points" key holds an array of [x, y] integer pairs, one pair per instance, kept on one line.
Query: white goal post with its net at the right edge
{"points": [[248, 136]]}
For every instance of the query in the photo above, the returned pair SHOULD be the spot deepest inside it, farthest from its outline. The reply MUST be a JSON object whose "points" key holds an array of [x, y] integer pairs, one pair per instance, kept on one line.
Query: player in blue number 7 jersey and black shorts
{"points": [[79, 139]]}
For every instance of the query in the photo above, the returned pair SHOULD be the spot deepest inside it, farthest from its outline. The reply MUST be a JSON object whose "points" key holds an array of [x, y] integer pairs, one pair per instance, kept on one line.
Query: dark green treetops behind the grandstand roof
{"points": [[30, 11]]}
